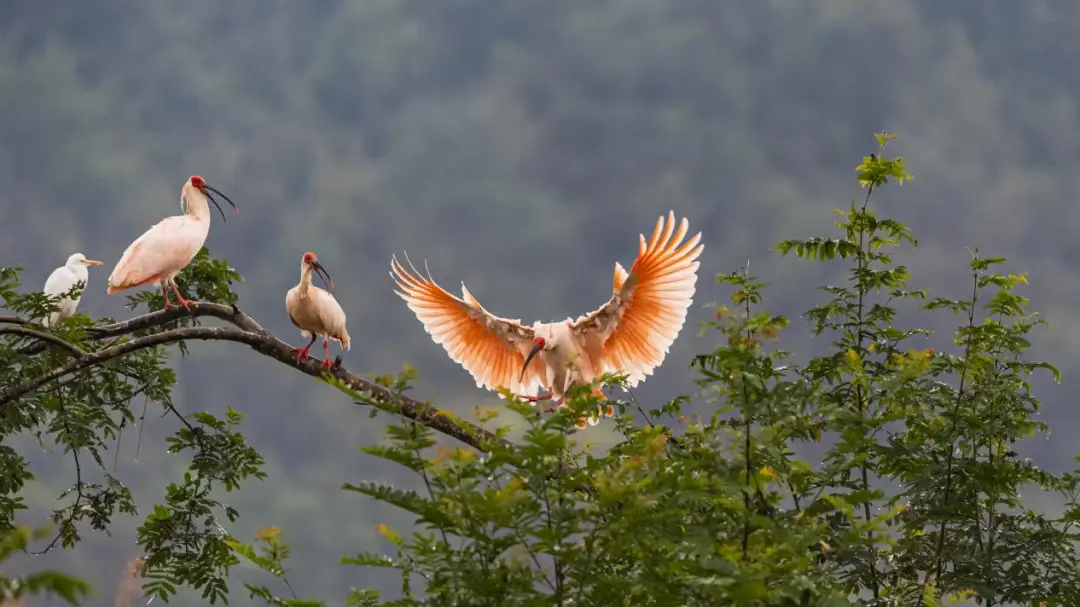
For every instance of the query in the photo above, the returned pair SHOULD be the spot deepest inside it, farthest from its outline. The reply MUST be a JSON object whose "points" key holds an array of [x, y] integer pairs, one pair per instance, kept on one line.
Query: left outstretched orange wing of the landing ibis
{"points": [[492, 349]]}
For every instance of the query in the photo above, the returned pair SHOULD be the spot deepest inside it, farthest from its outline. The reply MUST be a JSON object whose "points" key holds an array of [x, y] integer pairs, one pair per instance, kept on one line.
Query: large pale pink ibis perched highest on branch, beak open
{"points": [[171, 245]]}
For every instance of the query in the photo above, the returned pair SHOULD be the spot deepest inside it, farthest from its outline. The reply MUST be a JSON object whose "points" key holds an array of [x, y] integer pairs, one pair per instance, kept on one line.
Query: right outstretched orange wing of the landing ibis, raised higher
{"points": [[633, 332]]}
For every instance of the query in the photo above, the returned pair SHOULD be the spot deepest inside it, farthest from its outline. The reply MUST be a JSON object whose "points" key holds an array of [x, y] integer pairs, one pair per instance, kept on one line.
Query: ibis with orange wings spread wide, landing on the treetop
{"points": [[631, 334]]}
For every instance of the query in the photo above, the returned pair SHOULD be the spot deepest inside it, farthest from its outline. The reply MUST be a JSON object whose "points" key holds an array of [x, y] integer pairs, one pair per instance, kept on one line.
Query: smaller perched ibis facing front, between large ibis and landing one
{"points": [[315, 312]]}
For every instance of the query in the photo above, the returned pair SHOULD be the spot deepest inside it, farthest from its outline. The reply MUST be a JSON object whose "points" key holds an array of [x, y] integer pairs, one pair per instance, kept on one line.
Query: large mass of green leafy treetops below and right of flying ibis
{"points": [[725, 511]]}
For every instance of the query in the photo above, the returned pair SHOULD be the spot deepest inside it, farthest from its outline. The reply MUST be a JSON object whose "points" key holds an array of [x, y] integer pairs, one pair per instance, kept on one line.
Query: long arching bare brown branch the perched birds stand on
{"points": [[253, 335]]}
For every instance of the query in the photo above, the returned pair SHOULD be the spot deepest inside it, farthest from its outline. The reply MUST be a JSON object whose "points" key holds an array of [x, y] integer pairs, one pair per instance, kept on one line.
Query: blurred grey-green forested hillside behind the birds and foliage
{"points": [[520, 147]]}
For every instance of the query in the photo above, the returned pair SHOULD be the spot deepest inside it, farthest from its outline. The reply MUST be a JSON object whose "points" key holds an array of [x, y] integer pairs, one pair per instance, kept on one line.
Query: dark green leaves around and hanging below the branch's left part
{"points": [[85, 413]]}
